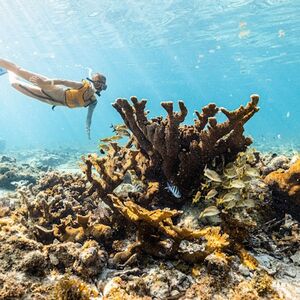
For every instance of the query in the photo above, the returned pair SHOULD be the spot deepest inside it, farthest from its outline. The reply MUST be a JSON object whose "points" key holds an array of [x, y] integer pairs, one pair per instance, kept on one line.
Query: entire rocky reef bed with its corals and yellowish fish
{"points": [[174, 212]]}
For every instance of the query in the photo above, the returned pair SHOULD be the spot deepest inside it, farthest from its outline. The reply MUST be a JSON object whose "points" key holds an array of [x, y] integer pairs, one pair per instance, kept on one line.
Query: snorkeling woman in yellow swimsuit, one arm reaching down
{"points": [[57, 92]]}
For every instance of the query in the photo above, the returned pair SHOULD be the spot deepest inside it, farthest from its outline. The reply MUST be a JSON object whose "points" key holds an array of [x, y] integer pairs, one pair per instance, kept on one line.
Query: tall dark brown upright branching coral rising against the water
{"points": [[179, 153]]}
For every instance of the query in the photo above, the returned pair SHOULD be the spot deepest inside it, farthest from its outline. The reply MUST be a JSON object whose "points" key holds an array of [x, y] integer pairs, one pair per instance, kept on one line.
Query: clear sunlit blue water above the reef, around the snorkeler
{"points": [[198, 51]]}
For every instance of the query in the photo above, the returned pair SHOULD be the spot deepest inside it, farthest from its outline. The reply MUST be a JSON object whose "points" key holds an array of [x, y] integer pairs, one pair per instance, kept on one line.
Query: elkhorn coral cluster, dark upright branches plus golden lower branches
{"points": [[172, 153]]}
